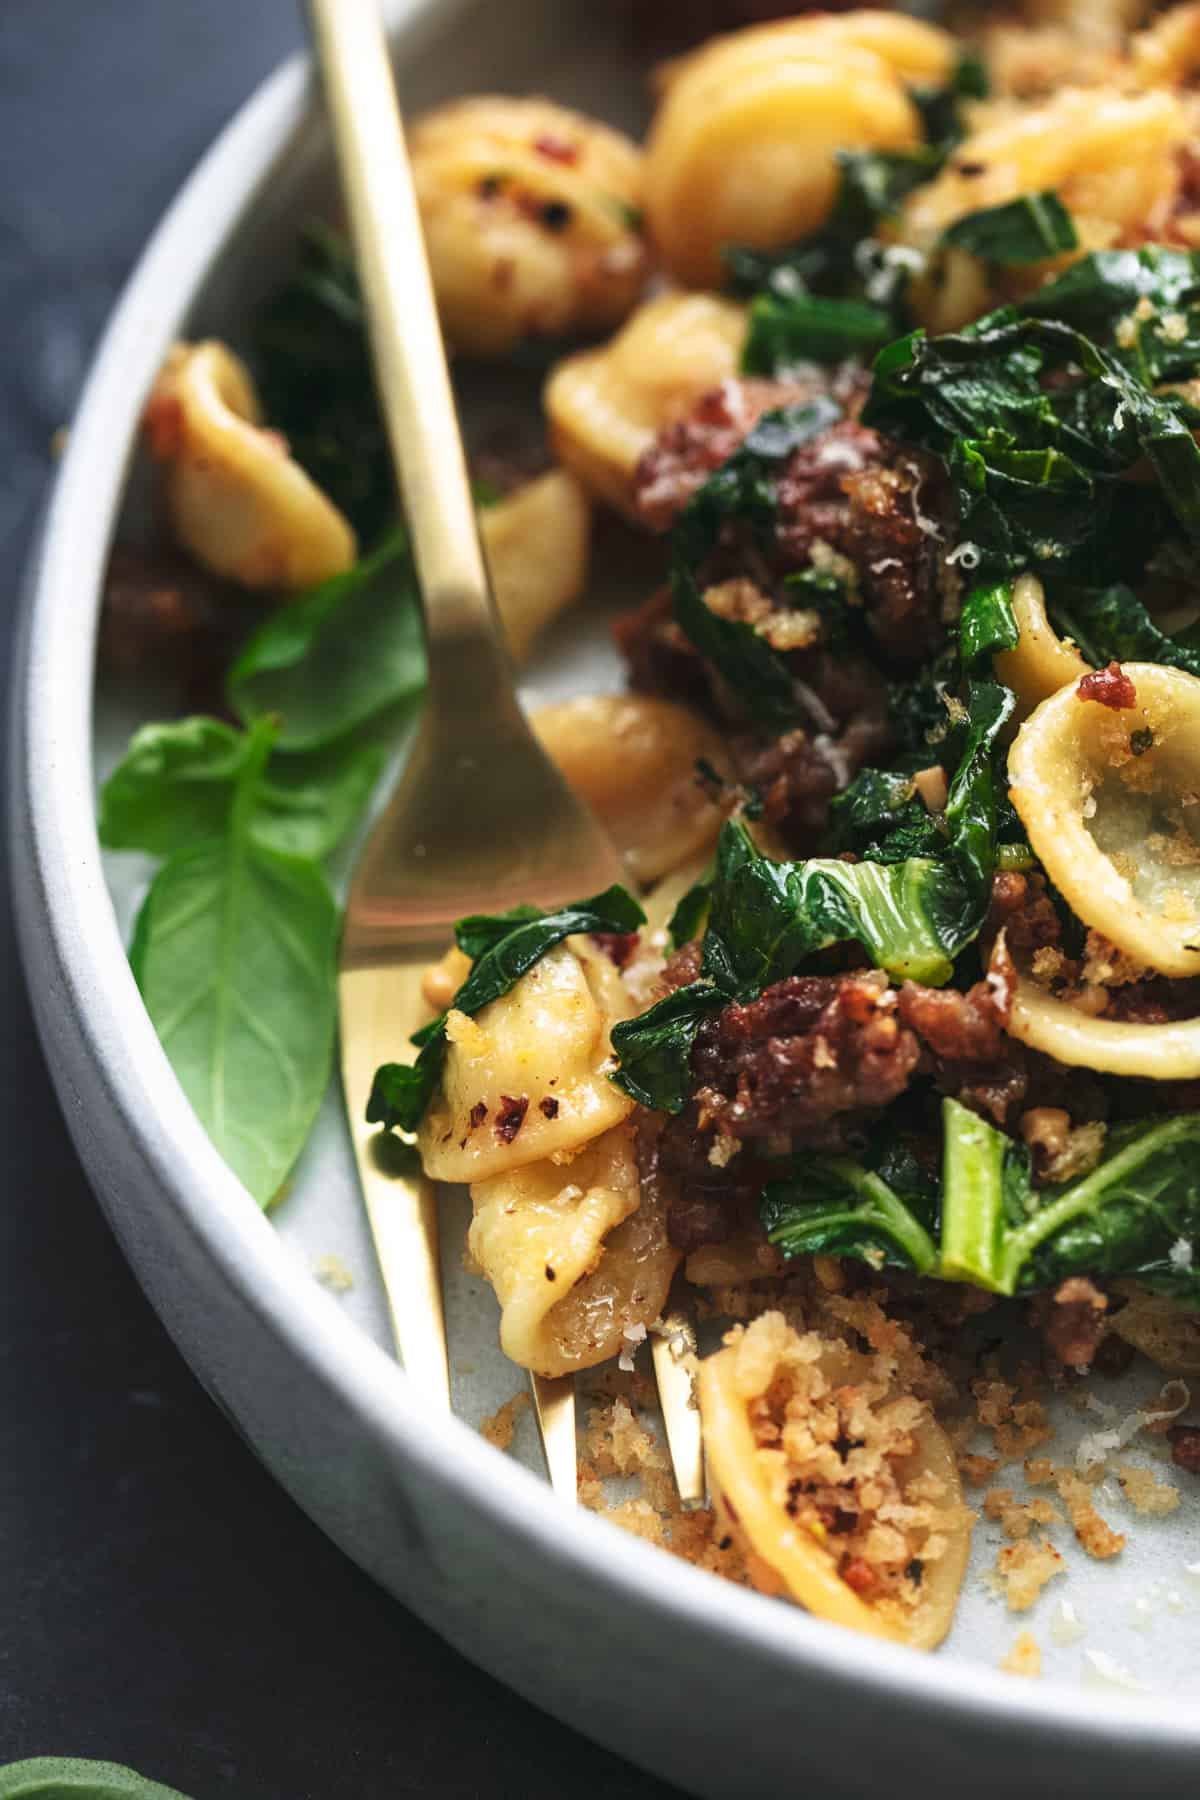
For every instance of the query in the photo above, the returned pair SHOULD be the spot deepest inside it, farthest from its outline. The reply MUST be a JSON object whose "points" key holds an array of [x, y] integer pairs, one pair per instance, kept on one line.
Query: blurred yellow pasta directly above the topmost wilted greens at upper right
{"points": [[1111, 157]]}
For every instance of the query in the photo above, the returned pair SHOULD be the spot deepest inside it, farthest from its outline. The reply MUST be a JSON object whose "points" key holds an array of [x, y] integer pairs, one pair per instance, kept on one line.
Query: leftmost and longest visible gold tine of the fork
{"points": [[402, 1205]]}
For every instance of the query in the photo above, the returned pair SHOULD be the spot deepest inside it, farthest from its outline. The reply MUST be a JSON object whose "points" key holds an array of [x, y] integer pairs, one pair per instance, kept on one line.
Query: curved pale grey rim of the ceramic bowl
{"points": [[67, 895]]}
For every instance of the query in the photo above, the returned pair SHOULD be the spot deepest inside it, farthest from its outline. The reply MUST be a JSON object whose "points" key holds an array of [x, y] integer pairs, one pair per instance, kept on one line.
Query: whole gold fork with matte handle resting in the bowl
{"points": [[481, 818]]}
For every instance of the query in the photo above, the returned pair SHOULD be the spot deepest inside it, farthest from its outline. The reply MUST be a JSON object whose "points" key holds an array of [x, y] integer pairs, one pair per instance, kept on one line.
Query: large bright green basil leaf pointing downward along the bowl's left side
{"points": [[235, 953]]}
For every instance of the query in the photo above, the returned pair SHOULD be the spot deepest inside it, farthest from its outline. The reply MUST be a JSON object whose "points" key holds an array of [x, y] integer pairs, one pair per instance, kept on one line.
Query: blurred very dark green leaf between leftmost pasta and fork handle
{"points": [[314, 368]]}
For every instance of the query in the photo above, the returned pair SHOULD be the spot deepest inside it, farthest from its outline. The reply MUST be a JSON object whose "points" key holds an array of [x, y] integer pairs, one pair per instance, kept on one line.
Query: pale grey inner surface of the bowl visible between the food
{"points": [[1140, 1612]]}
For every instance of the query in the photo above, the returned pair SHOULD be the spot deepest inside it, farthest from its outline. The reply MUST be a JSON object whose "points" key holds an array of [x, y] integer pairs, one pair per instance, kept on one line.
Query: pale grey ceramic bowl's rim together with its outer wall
{"points": [[710, 1686]]}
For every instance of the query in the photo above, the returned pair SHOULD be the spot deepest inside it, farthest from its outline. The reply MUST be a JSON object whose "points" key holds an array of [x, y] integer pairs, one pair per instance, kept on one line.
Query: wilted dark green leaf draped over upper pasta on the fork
{"points": [[400, 1092]]}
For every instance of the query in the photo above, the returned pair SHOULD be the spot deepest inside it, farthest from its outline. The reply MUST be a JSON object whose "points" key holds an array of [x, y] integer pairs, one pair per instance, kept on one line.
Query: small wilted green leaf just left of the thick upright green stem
{"points": [[839, 1209]]}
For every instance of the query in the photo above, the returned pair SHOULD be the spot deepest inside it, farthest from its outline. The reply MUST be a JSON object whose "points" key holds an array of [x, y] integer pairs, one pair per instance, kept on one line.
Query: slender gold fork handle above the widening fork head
{"points": [[406, 341]]}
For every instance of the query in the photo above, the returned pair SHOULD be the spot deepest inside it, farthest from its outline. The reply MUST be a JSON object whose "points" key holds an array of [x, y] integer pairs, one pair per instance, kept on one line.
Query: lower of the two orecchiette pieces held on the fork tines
{"points": [[577, 1252]]}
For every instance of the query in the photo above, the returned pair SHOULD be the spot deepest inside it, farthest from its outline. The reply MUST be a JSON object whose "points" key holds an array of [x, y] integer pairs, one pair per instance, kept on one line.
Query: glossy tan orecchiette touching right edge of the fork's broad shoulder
{"points": [[634, 762]]}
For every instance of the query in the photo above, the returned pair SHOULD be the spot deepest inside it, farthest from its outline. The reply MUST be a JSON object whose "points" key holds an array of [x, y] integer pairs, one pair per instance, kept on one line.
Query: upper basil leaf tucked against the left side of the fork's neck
{"points": [[339, 656]]}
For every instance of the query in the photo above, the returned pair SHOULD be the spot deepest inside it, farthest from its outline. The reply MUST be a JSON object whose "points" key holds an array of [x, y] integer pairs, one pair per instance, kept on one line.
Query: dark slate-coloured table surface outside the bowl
{"points": [[163, 1603]]}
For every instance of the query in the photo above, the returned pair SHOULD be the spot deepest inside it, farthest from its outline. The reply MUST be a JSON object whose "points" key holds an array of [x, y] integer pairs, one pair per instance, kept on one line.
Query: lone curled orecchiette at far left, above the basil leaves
{"points": [[237, 499]]}
